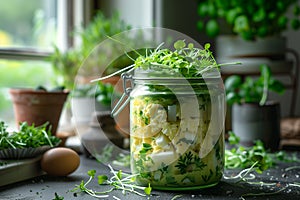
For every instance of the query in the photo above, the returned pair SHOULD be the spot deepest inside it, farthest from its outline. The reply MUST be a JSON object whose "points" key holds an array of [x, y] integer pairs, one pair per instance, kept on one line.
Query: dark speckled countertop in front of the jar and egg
{"points": [[45, 186]]}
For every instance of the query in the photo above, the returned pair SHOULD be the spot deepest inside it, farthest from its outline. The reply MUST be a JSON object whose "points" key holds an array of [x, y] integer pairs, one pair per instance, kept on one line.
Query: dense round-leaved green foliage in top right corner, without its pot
{"points": [[248, 19]]}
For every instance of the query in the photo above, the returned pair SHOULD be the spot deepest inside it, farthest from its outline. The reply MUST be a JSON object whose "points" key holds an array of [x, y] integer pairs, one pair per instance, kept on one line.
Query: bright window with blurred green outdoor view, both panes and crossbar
{"points": [[28, 31]]}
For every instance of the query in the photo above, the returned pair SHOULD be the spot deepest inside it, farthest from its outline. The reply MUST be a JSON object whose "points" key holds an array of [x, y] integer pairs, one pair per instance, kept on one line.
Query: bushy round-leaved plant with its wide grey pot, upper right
{"points": [[251, 32]]}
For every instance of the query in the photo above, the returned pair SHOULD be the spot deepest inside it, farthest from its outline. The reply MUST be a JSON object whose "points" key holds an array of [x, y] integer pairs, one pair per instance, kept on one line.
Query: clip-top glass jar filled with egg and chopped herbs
{"points": [[177, 130]]}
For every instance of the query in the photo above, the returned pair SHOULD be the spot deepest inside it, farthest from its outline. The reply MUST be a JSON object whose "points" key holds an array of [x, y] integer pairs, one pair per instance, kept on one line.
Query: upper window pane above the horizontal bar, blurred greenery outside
{"points": [[30, 24]]}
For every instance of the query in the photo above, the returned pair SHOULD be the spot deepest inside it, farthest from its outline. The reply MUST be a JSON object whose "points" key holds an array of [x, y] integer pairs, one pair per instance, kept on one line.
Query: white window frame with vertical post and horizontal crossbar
{"points": [[70, 15]]}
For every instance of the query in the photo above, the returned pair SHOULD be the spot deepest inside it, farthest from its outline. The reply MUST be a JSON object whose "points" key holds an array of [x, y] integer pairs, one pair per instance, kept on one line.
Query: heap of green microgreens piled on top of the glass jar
{"points": [[185, 61]]}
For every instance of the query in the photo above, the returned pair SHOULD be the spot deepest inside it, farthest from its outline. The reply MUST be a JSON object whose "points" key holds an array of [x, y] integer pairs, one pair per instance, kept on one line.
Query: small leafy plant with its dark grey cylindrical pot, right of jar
{"points": [[253, 115]]}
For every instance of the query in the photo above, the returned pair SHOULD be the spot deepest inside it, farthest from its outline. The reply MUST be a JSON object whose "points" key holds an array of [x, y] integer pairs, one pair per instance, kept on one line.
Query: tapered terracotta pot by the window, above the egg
{"points": [[38, 107]]}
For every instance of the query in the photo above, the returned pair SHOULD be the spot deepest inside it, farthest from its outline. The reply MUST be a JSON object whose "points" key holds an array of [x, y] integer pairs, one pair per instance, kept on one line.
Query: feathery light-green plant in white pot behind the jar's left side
{"points": [[68, 64]]}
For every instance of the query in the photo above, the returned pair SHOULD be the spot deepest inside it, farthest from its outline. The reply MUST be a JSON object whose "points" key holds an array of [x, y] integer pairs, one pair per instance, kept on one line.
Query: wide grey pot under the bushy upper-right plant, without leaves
{"points": [[271, 51]]}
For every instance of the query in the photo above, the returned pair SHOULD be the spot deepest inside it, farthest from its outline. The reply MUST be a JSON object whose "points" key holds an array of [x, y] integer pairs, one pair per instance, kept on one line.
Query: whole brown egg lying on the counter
{"points": [[60, 161]]}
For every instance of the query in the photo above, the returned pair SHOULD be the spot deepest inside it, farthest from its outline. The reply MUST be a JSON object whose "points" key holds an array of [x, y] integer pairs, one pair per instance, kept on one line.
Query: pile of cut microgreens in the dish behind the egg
{"points": [[27, 136]]}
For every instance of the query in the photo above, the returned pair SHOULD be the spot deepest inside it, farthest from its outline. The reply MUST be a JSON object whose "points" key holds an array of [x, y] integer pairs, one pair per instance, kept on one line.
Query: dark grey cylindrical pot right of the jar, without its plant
{"points": [[251, 122]]}
